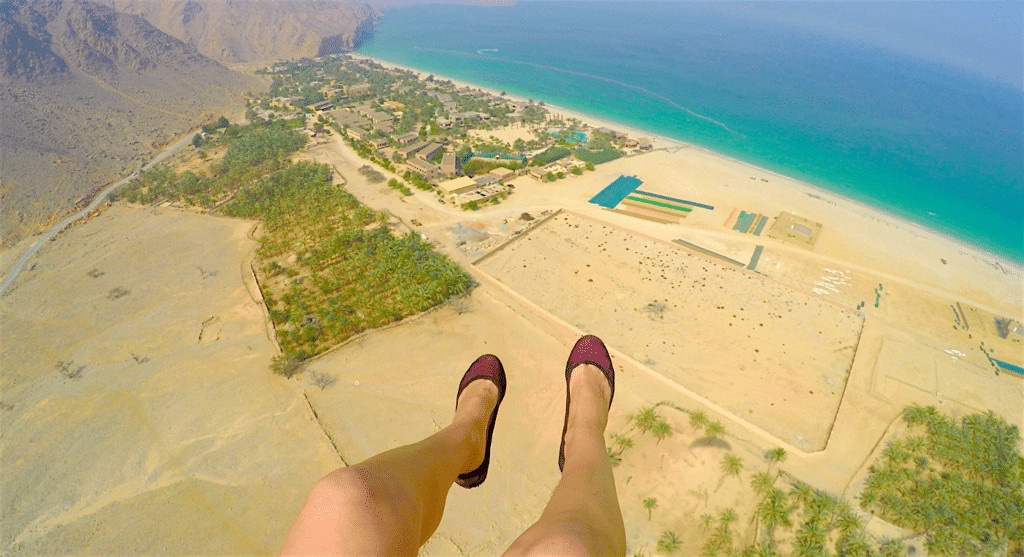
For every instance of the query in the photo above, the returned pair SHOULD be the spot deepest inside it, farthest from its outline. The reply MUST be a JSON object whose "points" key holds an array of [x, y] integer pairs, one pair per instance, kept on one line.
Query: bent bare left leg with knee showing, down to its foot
{"points": [[392, 503]]}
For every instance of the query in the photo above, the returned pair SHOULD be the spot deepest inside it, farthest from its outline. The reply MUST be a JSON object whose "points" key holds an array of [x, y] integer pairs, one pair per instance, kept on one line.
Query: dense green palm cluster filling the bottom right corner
{"points": [[959, 482]]}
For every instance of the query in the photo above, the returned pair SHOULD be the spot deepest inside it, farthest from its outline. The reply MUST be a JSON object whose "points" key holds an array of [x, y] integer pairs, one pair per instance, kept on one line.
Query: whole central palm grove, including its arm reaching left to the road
{"points": [[328, 267]]}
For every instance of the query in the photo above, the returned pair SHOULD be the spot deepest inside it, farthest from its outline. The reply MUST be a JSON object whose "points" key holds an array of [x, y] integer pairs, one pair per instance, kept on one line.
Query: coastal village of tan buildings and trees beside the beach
{"points": [[436, 134]]}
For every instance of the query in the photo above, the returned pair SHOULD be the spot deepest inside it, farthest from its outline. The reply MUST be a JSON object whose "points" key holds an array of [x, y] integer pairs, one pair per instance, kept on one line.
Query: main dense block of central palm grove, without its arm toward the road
{"points": [[350, 274]]}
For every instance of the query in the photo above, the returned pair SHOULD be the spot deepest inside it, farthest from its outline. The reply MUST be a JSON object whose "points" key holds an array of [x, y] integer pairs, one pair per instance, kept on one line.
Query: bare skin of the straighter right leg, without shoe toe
{"points": [[583, 517]]}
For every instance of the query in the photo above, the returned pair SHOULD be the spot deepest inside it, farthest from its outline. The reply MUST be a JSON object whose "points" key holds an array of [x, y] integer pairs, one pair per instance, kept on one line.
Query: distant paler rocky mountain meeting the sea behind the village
{"points": [[254, 33]]}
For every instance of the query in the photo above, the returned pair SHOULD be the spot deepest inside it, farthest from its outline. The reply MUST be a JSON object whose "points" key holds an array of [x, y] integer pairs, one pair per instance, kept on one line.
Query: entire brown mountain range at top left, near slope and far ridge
{"points": [[92, 90]]}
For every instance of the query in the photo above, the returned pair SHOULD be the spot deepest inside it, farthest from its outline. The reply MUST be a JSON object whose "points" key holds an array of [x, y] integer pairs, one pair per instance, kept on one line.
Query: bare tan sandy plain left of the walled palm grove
{"points": [[192, 448]]}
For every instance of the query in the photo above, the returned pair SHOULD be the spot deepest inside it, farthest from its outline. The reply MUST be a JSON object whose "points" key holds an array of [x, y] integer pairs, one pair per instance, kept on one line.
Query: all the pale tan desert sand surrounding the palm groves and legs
{"points": [[177, 439]]}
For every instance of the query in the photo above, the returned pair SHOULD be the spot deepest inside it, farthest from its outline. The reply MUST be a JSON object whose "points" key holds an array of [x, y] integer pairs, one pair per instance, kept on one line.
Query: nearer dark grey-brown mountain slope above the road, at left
{"points": [[87, 95]]}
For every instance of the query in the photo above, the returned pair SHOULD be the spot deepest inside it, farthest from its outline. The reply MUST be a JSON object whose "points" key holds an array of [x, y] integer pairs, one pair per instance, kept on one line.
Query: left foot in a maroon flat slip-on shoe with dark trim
{"points": [[481, 395]]}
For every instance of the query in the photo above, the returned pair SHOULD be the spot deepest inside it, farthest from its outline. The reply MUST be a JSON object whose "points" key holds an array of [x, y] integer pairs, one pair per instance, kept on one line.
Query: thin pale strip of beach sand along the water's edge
{"points": [[979, 253]]}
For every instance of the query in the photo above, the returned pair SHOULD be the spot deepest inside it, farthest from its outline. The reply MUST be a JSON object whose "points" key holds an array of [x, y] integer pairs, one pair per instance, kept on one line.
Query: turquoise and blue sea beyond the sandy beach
{"points": [[904, 125]]}
